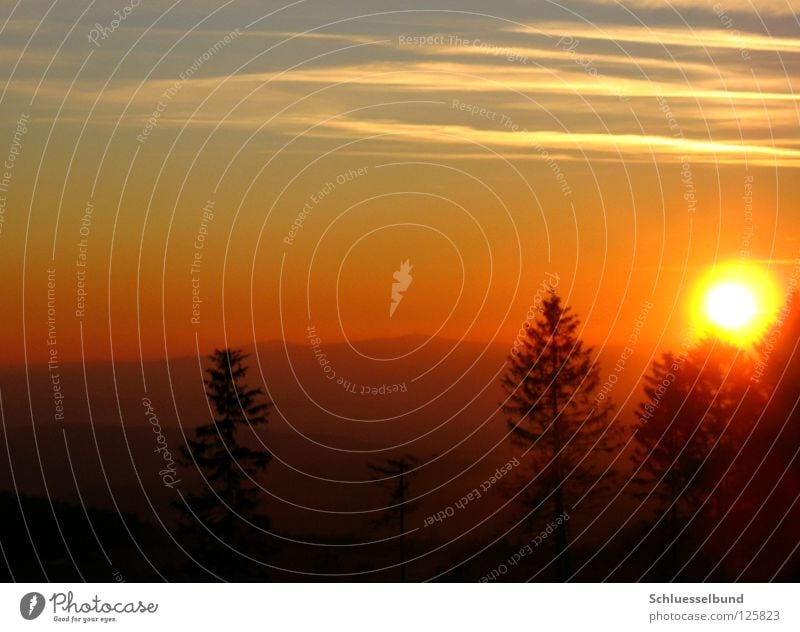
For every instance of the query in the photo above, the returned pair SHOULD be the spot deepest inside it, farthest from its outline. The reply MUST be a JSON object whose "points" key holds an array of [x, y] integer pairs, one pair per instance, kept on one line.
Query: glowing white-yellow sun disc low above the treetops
{"points": [[736, 302]]}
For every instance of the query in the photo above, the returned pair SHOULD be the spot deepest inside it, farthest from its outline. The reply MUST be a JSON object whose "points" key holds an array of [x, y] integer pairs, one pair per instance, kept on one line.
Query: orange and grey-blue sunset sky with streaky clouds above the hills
{"points": [[625, 147]]}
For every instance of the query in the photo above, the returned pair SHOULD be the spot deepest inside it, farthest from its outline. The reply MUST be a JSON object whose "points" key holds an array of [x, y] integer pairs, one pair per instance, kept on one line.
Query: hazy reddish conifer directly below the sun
{"points": [[699, 407]]}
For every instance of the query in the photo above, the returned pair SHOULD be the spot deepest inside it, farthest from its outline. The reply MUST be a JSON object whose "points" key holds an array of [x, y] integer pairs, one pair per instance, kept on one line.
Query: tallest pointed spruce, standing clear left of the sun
{"points": [[551, 381]]}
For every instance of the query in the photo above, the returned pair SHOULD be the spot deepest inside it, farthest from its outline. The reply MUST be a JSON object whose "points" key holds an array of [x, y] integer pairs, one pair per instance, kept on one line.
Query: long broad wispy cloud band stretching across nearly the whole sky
{"points": [[522, 92]]}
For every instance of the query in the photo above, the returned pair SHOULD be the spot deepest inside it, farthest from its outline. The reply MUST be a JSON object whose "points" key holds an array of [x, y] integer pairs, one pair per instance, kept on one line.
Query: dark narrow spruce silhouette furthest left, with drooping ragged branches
{"points": [[229, 498]]}
